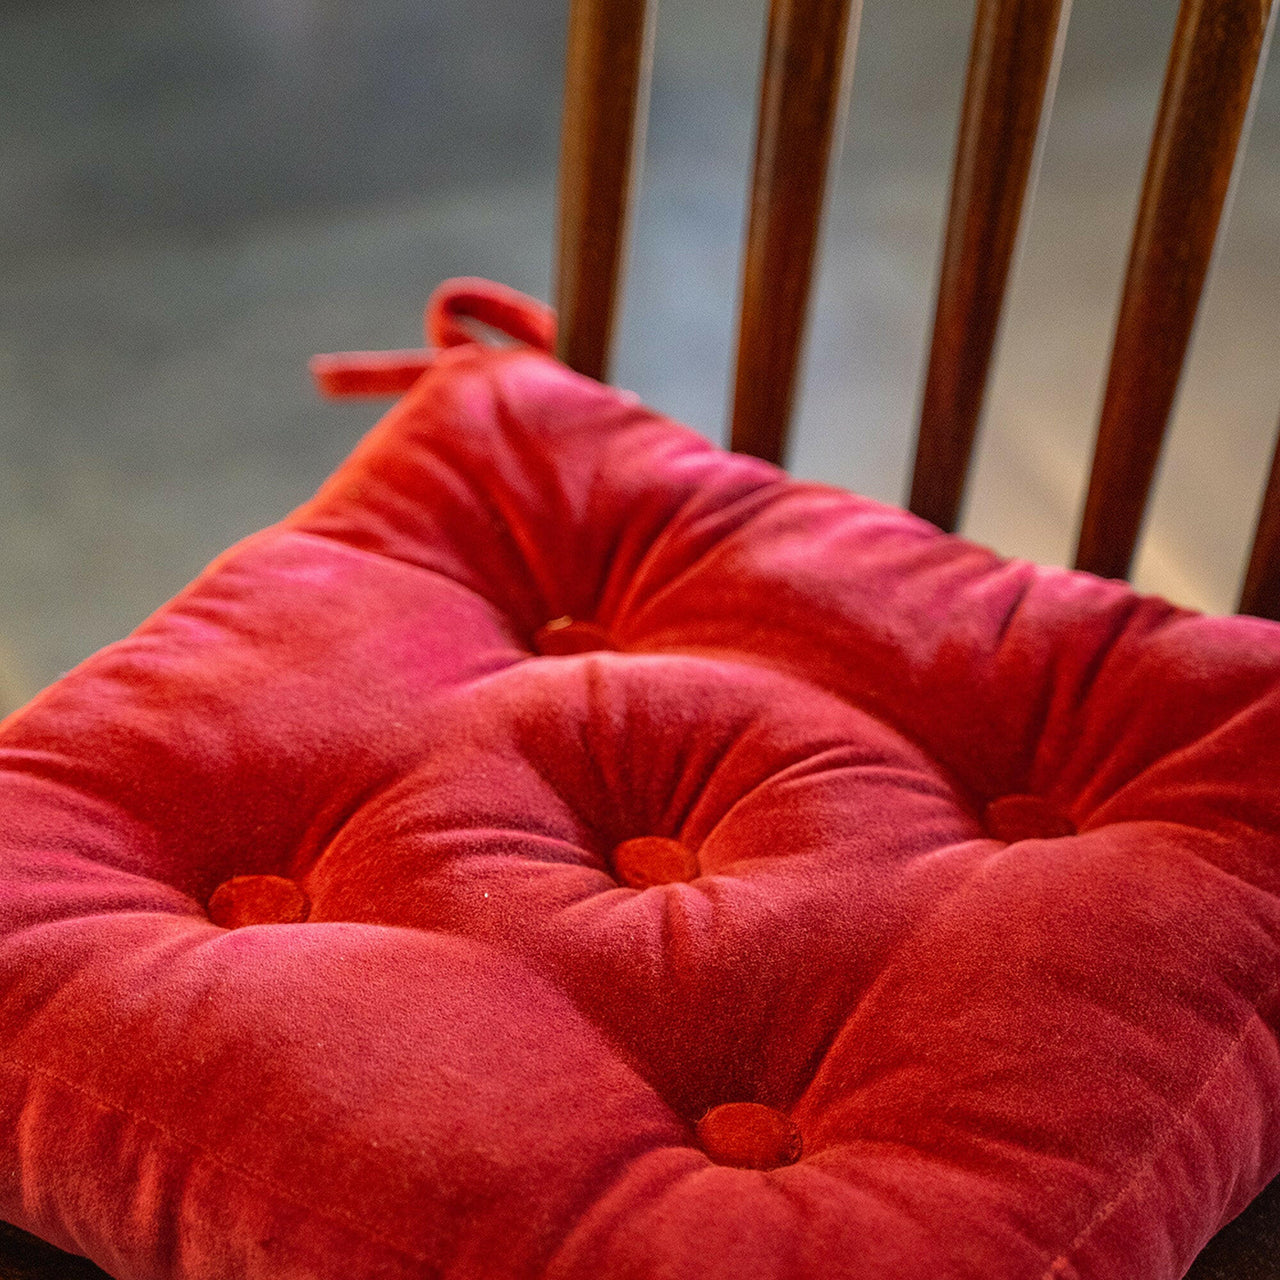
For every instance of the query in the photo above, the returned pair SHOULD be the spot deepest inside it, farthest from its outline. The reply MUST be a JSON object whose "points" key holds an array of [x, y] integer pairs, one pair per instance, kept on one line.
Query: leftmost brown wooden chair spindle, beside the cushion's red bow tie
{"points": [[606, 104]]}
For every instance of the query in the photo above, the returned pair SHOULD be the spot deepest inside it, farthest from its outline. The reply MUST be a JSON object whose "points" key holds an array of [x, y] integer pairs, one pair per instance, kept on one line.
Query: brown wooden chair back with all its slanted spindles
{"points": [[1218, 49]]}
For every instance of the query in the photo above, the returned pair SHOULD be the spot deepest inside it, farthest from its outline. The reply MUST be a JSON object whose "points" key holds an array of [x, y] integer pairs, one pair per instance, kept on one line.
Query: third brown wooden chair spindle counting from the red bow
{"points": [[1012, 72]]}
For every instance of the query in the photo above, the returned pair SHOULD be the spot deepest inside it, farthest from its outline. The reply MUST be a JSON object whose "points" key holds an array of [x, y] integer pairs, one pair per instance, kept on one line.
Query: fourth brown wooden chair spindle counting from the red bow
{"points": [[1203, 115]]}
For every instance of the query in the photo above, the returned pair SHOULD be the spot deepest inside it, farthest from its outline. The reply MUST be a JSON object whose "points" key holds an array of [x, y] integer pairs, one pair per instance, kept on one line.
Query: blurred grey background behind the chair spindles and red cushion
{"points": [[196, 195]]}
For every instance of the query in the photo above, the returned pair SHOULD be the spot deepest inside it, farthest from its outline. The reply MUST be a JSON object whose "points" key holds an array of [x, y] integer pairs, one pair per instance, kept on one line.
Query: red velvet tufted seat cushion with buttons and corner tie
{"points": [[564, 849]]}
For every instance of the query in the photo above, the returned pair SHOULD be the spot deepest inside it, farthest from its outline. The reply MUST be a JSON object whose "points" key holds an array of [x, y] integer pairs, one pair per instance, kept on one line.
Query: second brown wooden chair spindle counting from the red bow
{"points": [[803, 92]]}
